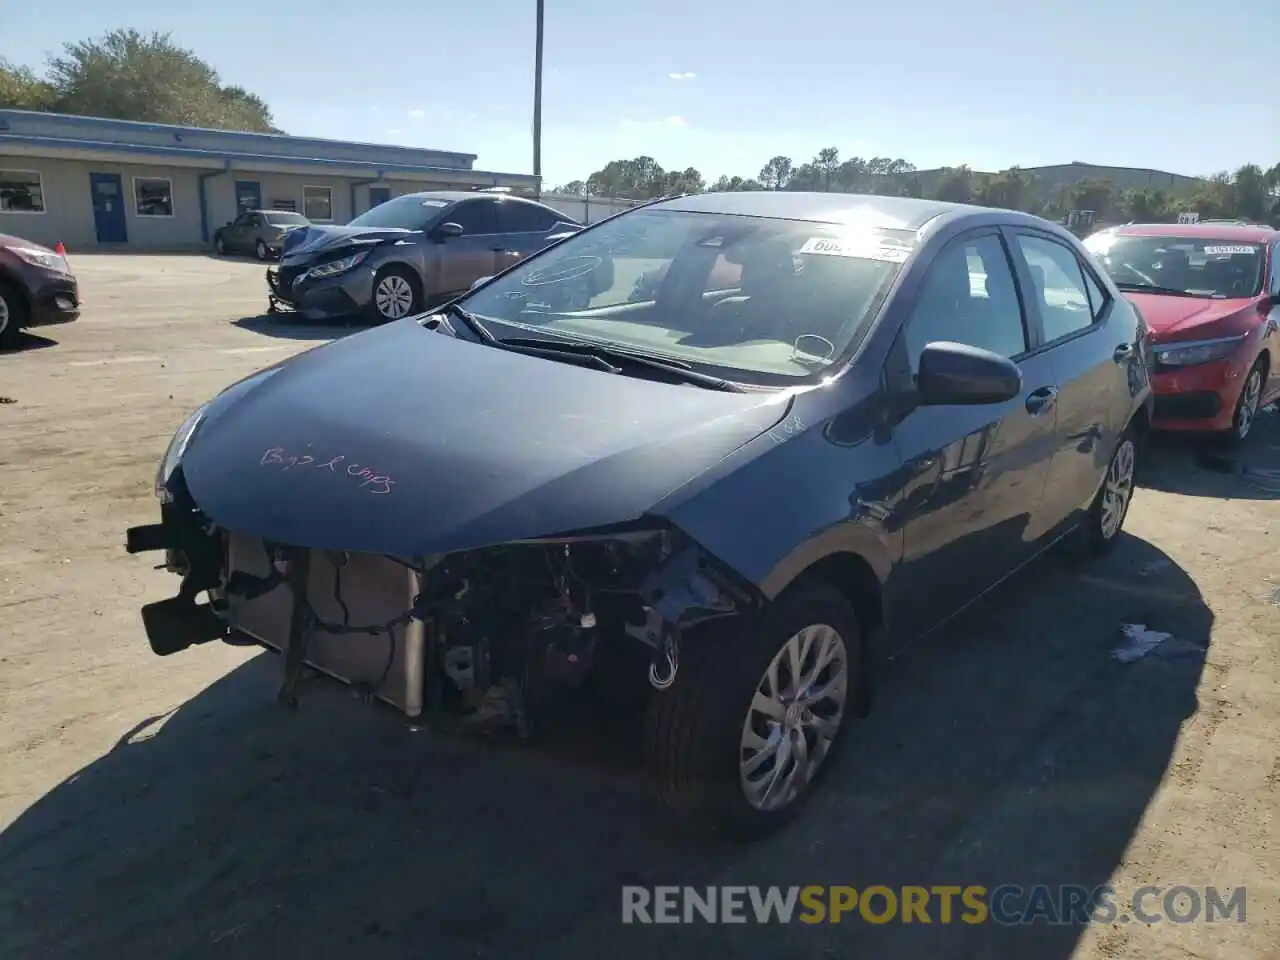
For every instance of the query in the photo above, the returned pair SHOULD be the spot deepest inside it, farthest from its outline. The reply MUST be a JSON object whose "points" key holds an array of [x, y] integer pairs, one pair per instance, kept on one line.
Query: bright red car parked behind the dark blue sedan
{"points": [[1210, 295]]}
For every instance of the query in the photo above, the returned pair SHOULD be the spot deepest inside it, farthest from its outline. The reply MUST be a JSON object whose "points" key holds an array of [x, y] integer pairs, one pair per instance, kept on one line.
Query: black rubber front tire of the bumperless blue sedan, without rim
{"points": [[694, 729]]}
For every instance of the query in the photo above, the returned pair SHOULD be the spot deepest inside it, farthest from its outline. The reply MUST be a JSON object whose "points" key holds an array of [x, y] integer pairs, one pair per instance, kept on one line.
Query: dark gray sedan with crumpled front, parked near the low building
{"points": [[410, 254]]}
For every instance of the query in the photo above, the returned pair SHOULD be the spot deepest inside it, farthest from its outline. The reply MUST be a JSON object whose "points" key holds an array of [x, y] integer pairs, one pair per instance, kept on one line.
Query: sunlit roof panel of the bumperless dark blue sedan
{"points": [[890, 213]]}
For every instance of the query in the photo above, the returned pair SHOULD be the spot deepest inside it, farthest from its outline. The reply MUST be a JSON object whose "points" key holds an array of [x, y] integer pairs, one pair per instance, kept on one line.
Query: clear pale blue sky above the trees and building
{"points": [[725, 85]]}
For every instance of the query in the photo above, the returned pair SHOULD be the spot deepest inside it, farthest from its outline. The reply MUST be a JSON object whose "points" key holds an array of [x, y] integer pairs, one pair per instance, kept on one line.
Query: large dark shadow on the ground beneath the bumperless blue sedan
{"points": [[1011, 748]]}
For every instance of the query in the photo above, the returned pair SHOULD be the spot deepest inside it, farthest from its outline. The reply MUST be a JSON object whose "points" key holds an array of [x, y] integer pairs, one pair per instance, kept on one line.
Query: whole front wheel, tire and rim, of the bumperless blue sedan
{"points": [[757, 712]]}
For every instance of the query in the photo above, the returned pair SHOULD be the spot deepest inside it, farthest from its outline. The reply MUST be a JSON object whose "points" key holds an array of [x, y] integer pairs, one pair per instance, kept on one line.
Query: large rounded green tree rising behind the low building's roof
{"points": [[131, 76]]}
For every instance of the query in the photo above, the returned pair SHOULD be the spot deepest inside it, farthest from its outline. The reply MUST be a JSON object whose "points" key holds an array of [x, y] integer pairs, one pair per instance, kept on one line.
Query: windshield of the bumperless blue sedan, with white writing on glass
{"points": [[748, 299]]}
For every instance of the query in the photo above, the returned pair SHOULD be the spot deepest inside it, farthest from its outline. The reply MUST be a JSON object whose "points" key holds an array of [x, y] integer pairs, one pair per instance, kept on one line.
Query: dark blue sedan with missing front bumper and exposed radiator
{"points": [[725, 445]]}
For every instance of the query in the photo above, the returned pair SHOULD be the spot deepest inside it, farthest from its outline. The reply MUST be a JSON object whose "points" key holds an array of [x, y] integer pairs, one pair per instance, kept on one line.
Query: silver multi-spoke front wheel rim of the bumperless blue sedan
{"points": [[794, 717]]}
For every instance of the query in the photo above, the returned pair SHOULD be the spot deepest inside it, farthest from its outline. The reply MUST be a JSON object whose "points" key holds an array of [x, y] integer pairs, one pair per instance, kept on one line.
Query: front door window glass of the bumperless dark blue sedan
{"points": [[968, 298]]}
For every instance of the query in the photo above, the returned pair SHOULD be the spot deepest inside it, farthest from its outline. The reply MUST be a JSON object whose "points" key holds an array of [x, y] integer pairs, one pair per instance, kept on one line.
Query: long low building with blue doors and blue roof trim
{"points": [[94, 182]]}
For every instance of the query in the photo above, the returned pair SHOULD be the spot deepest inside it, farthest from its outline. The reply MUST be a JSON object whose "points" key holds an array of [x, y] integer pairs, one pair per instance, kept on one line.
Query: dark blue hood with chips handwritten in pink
{"points": [[408, 442]]}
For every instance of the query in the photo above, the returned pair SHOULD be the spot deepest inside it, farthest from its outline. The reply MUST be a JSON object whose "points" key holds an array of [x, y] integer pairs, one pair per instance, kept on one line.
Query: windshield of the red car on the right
{"points": [[1196, 267]]}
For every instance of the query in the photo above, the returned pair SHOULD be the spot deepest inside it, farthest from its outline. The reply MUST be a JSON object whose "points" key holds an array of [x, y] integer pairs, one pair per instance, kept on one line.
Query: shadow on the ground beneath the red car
{"points": [[1205, 468]]}
